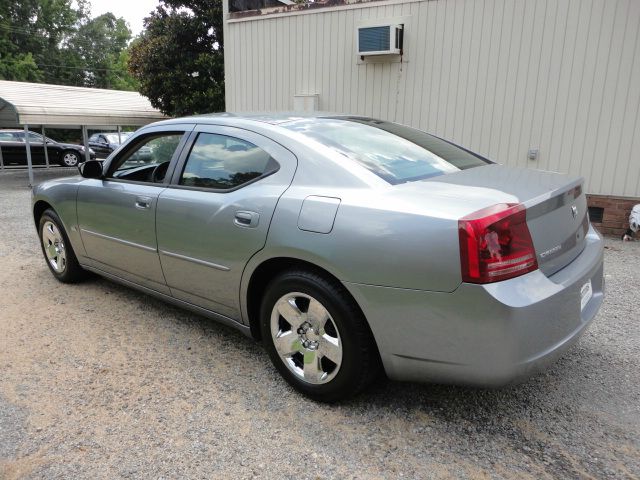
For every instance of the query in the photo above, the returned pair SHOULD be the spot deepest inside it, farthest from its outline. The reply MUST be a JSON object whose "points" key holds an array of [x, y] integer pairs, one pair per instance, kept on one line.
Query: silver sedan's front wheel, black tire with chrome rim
{"points": [[69, 270]]}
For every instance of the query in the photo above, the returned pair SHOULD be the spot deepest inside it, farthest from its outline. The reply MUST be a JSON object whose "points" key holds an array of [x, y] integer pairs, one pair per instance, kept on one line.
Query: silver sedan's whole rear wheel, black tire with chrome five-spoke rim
{"points": [[317, 337]]}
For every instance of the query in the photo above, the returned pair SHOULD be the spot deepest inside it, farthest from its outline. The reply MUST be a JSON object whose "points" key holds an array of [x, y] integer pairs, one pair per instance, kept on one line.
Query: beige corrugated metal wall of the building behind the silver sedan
{"points": [[497, 76]]}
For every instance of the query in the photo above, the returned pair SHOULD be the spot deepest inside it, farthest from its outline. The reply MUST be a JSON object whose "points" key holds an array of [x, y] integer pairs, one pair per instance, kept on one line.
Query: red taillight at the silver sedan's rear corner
{"points": [[495, 244]]}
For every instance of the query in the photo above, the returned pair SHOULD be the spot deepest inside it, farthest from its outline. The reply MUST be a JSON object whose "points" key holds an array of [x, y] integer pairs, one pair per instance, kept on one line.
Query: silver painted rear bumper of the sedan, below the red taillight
{"points": [[484, 335]]}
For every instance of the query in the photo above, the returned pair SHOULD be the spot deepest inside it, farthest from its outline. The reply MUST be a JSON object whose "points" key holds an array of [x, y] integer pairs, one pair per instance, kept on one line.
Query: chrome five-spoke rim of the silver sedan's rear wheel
{"points": [[306, 338]]}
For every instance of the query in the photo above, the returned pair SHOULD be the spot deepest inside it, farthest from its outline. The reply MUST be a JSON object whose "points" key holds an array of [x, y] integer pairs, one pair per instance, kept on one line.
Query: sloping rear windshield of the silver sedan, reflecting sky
{"points": [[396, 153]]}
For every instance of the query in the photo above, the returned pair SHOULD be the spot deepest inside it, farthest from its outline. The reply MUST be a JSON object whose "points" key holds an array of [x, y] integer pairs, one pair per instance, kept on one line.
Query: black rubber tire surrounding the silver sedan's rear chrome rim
{"points": [[360, 362]]}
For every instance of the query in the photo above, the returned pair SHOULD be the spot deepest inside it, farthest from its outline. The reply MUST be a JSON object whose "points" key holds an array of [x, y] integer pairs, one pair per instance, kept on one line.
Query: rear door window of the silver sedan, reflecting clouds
{"points": [[222, 162]]}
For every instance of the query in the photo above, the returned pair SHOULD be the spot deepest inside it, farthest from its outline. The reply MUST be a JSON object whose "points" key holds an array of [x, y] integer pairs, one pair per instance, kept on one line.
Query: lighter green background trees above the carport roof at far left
{"points": [[56, 41]]}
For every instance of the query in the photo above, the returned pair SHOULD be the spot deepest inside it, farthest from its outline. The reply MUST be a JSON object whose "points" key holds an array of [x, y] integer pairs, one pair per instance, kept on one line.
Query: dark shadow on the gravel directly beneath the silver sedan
{"points": [[555, 389]]}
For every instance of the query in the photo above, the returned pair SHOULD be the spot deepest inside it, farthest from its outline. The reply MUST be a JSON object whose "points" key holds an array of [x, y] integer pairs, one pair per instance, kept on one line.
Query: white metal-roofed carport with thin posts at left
{"points": [[56, 106]]}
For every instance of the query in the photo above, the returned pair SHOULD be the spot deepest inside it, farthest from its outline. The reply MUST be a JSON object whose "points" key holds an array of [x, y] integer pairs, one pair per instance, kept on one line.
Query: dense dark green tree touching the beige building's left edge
{"points": [[179, 58]]}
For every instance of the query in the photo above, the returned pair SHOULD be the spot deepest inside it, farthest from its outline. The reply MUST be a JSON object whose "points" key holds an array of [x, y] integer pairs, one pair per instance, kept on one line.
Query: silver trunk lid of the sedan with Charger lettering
{"points": [[556, 207]]}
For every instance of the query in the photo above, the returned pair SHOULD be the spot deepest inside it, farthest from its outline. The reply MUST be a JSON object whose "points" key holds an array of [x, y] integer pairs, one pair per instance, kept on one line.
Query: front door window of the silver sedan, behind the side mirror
{"points": [[153, 152]]}
